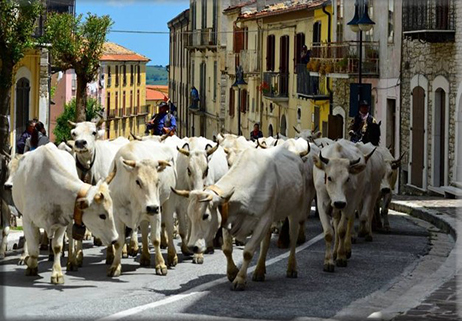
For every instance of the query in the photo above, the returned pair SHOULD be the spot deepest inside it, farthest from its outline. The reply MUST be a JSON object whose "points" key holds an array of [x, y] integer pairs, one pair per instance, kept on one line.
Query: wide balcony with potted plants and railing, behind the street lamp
{"points": [[342, 58]]}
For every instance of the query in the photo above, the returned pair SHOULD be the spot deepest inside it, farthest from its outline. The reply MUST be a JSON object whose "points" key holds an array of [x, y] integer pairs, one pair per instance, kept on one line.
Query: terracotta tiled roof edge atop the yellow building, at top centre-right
{"points": [[282, 8]]}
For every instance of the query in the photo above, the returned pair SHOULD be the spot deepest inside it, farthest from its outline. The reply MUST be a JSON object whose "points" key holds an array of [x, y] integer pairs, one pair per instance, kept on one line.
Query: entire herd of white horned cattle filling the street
{"points": [[238, 186]]}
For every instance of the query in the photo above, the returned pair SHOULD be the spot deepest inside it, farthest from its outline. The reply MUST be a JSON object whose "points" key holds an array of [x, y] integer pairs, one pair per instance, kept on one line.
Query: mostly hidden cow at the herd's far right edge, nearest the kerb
{"points": [[386, 187]]}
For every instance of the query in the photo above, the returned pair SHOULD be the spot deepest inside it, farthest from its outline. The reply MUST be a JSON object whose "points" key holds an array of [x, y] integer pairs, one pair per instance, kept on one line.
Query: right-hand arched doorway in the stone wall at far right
{"points": [[439, 139]]}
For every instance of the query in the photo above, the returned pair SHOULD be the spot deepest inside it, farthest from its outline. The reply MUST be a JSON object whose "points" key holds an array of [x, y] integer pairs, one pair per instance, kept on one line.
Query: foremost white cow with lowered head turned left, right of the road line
{"points": [[263, 186]]}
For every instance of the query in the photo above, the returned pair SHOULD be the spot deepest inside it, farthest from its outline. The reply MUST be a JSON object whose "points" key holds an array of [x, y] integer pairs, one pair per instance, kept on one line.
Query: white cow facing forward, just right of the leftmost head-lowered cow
{"points": [[143, 173]]}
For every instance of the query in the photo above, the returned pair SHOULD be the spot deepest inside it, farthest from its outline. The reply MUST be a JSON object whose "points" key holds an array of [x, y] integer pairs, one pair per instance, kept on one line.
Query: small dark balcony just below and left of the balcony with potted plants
{"points": [[308, 86]]}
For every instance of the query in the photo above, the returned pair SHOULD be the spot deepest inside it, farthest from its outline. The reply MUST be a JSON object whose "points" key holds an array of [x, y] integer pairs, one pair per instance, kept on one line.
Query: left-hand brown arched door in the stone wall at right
{"points": [[418, 134]]}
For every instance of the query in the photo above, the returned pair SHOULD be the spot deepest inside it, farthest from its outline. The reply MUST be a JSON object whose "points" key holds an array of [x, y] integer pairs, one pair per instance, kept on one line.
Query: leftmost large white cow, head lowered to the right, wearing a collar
{"points": [[49, 194]]}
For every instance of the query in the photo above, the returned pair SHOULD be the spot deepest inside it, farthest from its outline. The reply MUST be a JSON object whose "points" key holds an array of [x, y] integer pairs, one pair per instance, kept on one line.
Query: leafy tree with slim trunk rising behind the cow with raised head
{"points": [[77, 45]]}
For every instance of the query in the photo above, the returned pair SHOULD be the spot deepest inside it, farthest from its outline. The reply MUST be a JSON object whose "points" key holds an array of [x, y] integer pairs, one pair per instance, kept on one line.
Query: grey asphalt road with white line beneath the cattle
{"points": [[202, 292]]}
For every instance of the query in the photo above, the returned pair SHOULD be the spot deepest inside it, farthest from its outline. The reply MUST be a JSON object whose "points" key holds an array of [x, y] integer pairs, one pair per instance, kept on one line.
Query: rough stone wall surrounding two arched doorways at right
{"points": [[430, 60]]}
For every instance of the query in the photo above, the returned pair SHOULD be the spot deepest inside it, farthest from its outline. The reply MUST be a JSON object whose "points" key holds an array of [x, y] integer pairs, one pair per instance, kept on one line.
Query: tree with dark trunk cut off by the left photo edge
{"points": [[17, 24]]}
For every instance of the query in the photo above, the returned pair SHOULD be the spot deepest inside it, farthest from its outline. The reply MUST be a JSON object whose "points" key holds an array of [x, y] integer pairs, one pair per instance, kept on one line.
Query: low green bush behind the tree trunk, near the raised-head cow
{"points": [[62, 130]]}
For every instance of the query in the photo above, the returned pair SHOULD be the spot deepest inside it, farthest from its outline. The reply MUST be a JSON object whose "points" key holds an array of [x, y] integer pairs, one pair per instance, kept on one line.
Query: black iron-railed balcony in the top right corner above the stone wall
{"points": [[431, 21]]}
